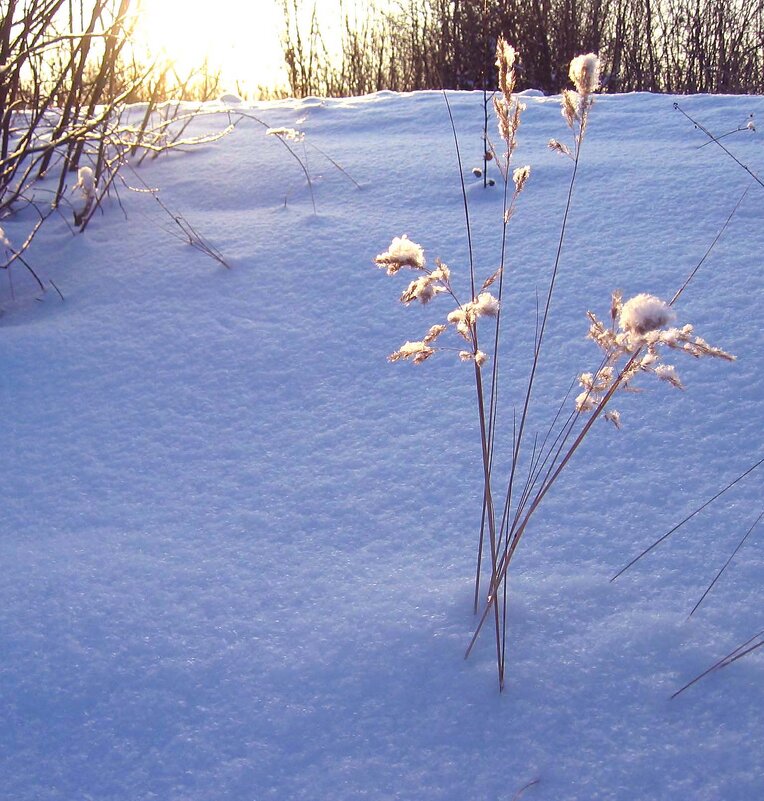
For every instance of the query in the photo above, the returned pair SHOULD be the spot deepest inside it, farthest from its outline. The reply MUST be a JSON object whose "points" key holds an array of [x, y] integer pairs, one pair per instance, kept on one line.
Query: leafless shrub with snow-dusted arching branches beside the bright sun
{"points": [[67, 74]]}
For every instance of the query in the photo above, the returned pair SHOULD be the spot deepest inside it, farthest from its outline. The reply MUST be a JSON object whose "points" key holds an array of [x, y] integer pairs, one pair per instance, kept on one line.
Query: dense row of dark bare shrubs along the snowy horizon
{"points": [[678, 46]]}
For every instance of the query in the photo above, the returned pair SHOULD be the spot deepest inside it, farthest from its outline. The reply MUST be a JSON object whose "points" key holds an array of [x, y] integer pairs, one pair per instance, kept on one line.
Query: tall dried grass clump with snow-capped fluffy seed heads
{"points": [[639, 339]]}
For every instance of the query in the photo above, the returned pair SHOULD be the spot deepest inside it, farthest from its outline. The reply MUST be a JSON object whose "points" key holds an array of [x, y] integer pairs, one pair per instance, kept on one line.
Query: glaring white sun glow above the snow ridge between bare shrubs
{"points": [[240, 38]]}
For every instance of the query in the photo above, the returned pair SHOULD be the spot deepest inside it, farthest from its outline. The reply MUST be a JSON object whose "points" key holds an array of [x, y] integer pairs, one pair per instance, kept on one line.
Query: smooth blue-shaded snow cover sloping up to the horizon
{"points": [[237, 546]]}
